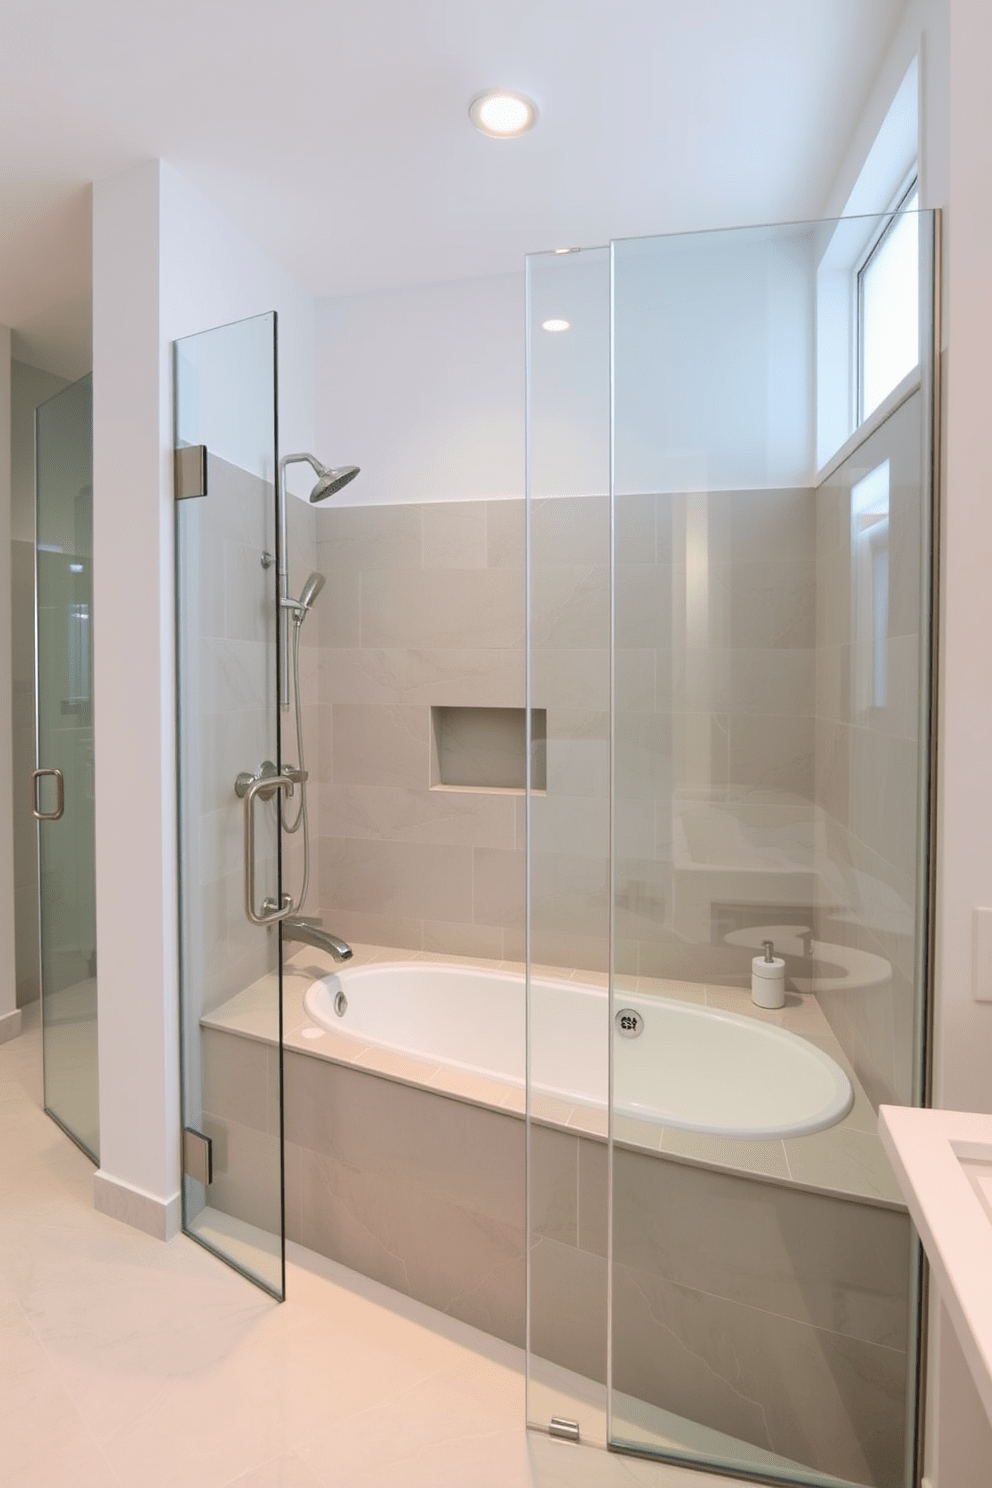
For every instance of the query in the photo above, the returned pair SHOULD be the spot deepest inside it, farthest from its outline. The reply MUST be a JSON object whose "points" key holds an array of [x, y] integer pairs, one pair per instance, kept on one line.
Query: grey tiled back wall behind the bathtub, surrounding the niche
{"points": [[425, 609]]}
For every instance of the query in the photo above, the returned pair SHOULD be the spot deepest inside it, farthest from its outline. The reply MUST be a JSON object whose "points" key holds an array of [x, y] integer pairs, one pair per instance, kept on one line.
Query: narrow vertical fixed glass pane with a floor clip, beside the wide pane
{"points": [[569, 837]]}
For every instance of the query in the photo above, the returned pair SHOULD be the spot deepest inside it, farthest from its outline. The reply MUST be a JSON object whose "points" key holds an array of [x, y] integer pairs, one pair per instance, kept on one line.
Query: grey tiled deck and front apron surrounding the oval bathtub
{"points": [[761, 1288]]}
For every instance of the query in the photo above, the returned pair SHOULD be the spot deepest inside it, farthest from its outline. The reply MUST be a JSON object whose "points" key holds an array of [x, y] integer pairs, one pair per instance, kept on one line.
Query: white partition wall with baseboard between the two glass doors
{"points": [[166, 264]]}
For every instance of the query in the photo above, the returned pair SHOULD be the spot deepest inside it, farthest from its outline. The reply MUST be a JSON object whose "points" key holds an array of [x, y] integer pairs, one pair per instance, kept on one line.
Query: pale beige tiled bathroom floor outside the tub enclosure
{"points": [[129, 1364]]}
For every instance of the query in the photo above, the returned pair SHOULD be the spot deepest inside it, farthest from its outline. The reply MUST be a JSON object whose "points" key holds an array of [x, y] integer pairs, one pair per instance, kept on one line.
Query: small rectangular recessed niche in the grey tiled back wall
{"points": [[486, 749]]}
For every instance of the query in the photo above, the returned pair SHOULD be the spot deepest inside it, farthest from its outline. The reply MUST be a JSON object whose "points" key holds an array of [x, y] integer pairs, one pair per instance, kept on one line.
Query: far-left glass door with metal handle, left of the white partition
{"points": [[66, 761]]}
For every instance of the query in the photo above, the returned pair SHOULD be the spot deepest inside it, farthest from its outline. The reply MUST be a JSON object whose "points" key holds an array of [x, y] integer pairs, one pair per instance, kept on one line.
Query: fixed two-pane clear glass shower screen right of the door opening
{"points": [[729, 594]]}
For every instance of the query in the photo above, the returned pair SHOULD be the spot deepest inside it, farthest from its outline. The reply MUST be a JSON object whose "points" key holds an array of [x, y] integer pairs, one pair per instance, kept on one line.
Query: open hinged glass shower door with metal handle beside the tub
{"points": [[228, 727]]}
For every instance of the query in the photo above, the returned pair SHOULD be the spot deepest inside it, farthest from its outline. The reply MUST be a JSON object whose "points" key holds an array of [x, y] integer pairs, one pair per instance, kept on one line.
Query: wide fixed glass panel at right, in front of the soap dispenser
{"points": [[770, 803]]}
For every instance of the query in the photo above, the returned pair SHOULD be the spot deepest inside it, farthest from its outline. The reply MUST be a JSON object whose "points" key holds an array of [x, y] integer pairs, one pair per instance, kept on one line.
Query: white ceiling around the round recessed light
{"points": [[337, 133]]}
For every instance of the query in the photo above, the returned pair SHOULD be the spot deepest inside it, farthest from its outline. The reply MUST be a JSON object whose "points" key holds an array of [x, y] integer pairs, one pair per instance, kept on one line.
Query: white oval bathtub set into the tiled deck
{"points": [[694, 1068]]}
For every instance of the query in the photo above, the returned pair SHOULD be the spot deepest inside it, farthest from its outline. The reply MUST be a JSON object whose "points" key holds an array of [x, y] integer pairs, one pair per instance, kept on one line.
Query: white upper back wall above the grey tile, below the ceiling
{"points": [[425, 388]]}
